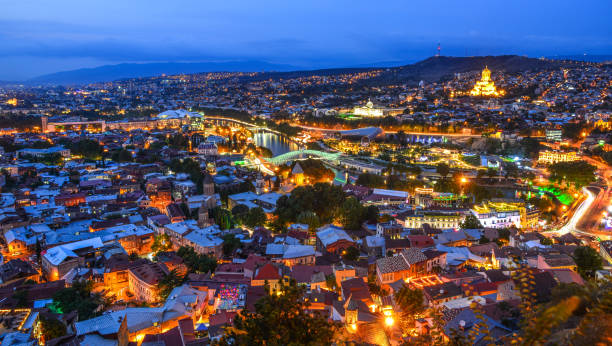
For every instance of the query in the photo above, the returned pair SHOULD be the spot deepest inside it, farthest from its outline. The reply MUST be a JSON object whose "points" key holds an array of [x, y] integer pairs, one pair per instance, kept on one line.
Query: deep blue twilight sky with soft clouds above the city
{"points": [[38, 37]]}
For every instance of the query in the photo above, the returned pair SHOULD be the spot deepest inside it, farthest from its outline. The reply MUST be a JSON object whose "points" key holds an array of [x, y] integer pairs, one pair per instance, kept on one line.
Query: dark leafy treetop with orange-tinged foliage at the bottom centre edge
{"points": [[281, 319]]}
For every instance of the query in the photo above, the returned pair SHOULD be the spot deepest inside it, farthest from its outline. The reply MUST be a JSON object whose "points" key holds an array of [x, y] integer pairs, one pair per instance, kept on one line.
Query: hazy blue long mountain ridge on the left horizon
{"points": [[108, 73]]}
